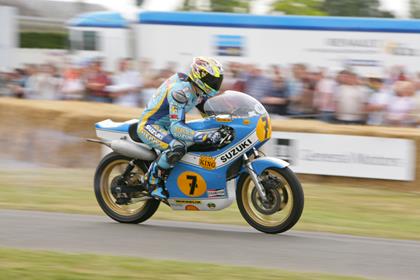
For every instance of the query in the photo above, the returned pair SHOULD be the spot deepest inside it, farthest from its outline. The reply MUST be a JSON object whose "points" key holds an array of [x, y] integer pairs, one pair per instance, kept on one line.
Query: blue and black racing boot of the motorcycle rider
{"points": [[156, 182]]}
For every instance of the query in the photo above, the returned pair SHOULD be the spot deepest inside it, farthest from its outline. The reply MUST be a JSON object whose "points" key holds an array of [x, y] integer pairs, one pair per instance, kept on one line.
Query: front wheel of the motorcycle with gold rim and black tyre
{"points": [[284, 204]]}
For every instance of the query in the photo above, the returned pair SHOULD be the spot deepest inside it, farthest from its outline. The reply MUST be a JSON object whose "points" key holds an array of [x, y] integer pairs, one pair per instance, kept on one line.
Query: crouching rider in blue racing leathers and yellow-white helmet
{"points": [[162, 124]]}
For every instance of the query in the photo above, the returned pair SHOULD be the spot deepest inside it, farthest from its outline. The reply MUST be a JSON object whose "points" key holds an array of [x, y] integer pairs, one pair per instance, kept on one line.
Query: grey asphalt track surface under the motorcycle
{"points": [[295, 251]]}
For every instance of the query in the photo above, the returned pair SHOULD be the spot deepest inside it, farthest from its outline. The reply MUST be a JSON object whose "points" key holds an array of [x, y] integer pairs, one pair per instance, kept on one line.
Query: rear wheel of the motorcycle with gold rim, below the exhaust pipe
{"points": [[110, 167]]}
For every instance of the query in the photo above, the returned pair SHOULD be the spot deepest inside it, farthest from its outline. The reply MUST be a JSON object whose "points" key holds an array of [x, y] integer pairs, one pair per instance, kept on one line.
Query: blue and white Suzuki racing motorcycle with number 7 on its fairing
{"points": [[268, 194]]}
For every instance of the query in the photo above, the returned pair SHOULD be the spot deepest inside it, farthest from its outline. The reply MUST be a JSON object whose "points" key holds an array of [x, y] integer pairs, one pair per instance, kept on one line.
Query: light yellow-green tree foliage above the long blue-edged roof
{"points": [[299, 7]]}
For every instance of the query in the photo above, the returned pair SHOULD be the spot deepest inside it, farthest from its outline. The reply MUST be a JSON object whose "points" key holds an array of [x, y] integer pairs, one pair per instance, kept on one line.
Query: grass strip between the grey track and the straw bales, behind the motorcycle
{"points": [[338, 209]]}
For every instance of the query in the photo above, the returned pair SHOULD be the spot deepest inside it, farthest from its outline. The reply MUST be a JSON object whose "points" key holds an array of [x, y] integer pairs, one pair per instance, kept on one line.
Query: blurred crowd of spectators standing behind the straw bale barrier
{"points": [[297, 91]]}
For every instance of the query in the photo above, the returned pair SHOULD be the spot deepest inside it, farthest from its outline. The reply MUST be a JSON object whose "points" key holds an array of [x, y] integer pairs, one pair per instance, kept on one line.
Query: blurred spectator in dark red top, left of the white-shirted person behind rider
{"points": [[96, 82]]}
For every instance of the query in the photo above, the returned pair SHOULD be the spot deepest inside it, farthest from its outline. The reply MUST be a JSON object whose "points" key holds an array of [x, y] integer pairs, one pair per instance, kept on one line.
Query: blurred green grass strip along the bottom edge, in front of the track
{"points": [[20, 264]]}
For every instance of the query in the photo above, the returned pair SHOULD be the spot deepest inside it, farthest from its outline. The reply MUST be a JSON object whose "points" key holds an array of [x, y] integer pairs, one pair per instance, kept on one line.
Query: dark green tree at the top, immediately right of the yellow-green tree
{"points": [[355, 8]]}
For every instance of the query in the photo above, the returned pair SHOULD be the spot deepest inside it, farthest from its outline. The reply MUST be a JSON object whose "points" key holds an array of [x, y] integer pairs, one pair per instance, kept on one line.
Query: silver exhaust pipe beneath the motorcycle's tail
{"points": [[129, 149]]}
